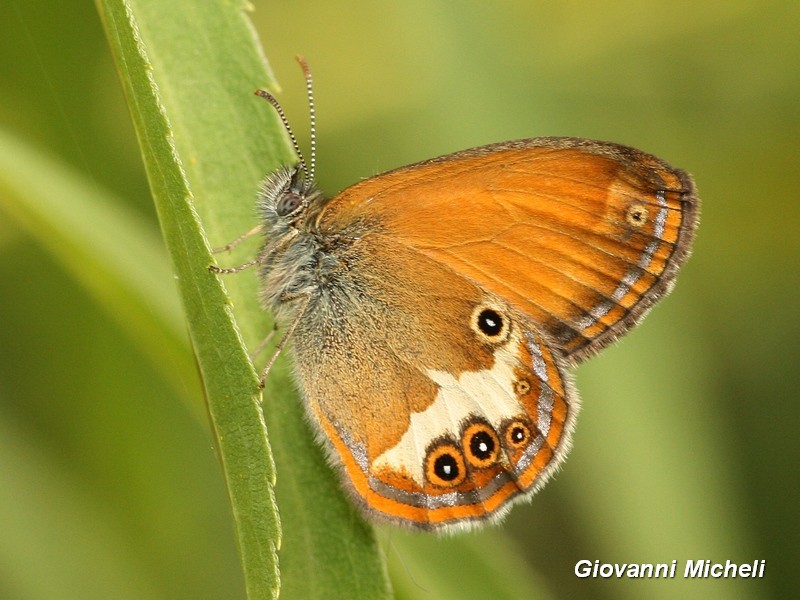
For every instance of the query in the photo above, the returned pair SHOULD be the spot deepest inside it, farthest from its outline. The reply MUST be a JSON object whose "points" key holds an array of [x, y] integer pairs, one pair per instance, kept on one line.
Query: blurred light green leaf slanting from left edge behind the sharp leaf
{"points": [[106, 247]]}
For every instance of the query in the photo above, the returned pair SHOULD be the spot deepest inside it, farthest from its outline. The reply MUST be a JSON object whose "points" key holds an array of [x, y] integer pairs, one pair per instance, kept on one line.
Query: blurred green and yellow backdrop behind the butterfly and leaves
{"points": [[108, 480]]}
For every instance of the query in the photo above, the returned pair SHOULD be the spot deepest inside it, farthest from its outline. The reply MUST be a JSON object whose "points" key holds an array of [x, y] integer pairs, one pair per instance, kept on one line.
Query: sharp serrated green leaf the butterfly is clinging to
{"points": [[189, 71]]}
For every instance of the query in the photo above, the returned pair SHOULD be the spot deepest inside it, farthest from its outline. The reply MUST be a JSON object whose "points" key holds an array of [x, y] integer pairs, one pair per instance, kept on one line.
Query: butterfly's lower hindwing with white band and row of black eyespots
{"points": [[438, 416]]}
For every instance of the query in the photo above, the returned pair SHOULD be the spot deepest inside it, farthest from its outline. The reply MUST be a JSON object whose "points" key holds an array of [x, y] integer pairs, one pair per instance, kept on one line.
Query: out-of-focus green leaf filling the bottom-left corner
{"points": [[69, 535]]}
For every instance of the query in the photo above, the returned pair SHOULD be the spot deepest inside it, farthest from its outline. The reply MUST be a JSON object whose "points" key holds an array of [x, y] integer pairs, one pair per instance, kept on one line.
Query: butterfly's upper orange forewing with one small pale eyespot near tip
{"points": [[581, 236]]}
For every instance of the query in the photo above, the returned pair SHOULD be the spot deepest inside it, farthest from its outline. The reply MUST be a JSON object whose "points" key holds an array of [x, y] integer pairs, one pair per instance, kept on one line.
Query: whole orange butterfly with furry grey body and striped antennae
{"points": [[433, 310]]}
